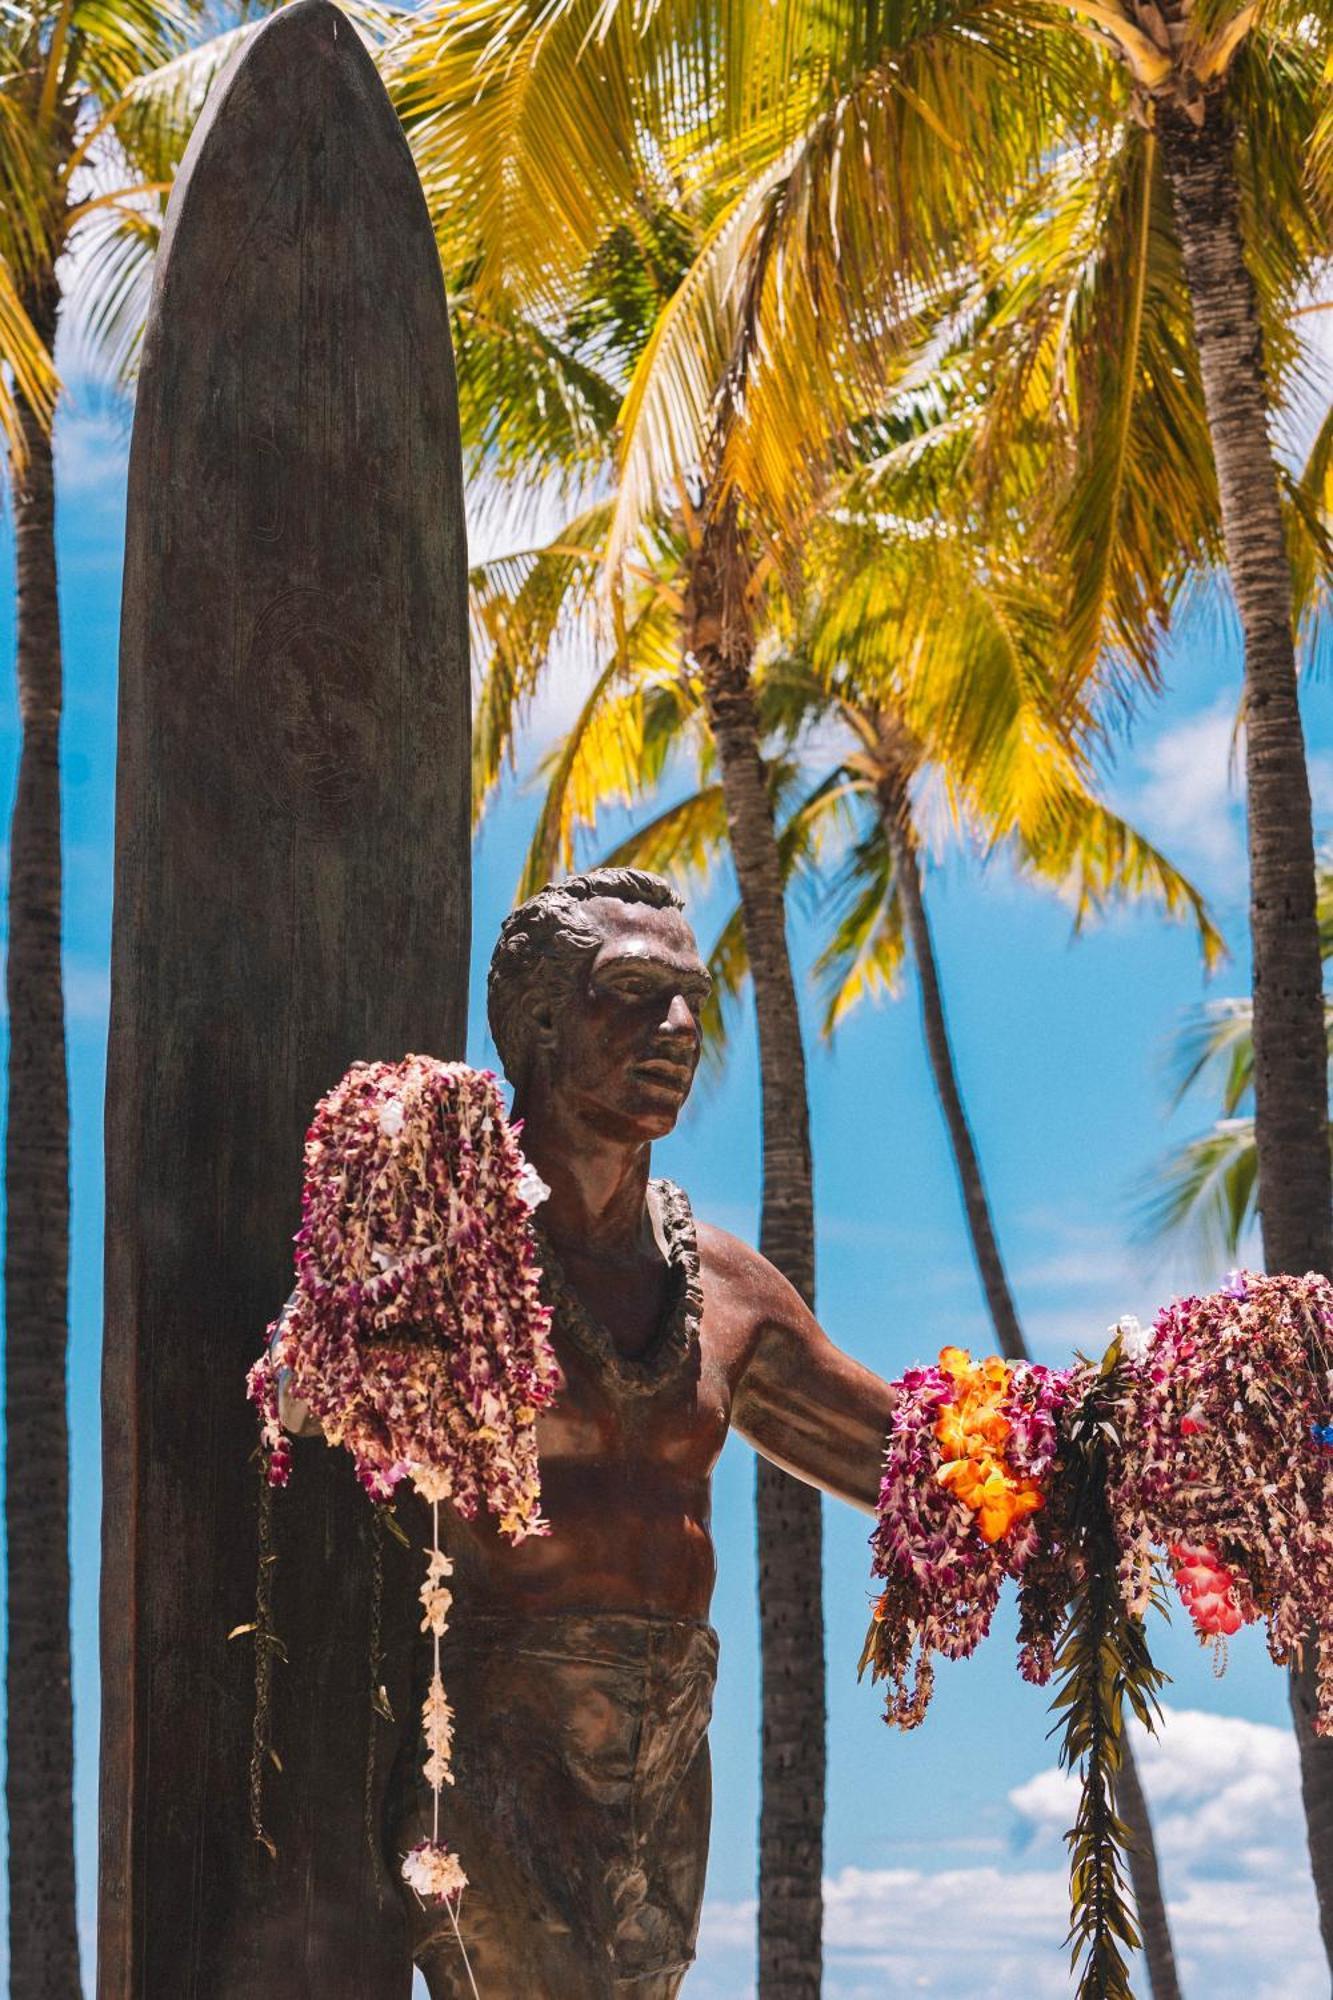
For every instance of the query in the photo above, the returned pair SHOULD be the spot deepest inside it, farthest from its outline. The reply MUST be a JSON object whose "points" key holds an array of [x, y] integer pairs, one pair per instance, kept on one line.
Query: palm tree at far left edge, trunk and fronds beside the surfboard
{"points": [[95, 111]]}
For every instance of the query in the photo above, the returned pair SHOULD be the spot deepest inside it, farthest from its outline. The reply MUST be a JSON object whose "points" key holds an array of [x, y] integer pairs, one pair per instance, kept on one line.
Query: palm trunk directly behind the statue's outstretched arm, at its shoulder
{"points": [[792, 1825]]}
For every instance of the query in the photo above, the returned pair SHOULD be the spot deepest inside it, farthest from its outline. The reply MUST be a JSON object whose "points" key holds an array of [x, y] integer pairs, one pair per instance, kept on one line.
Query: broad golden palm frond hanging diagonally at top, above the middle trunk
{"points": [[888, 201]]}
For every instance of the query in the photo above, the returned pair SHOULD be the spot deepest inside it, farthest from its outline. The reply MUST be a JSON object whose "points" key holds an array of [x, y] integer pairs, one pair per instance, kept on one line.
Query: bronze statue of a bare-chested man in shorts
{"points": [[581, 1665]]}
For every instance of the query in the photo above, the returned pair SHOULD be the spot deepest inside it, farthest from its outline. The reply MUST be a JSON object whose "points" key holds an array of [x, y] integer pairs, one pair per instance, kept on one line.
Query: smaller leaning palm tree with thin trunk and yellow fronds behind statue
{"points": [[968, 699]]}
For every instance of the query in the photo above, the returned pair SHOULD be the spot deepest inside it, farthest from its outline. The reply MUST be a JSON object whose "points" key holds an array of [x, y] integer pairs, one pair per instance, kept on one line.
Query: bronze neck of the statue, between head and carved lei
{"points": [[599, 1185]]}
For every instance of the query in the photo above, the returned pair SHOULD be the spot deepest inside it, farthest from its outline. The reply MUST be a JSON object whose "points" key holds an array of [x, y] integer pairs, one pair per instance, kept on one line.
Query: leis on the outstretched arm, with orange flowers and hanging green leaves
{"points": [[1204, 1447]]}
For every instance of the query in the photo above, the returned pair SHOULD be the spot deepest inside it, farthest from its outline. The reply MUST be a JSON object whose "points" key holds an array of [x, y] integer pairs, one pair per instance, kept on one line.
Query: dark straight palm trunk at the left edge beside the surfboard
{"points": [[37, 1493]]}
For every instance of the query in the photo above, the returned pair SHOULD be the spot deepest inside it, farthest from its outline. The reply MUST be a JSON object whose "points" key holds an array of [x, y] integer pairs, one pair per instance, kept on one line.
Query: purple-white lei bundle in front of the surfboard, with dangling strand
{"points": [[415, 1333]]}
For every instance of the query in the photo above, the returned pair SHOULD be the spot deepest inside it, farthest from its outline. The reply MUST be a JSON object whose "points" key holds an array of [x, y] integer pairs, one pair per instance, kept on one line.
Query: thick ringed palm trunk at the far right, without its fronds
{"points": [[1292, 1053]]}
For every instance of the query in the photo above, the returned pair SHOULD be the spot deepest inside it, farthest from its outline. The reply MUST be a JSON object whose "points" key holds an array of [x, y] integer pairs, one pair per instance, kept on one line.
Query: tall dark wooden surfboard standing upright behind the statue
{"points": [[291, 895]]}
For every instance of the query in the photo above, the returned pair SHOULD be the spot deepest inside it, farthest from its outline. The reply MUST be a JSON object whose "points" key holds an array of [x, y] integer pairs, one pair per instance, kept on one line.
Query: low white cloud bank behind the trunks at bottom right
{"points": [[1230, 1829]]}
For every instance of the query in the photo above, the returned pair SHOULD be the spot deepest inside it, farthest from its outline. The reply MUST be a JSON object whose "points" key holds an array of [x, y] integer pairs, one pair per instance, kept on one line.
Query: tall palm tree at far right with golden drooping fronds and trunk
{"points": [[1192, 145]]}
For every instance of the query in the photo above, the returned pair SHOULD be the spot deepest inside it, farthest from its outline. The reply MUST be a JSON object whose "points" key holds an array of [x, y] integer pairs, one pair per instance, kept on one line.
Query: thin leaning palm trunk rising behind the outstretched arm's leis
{"points": [[1130, 1801]]}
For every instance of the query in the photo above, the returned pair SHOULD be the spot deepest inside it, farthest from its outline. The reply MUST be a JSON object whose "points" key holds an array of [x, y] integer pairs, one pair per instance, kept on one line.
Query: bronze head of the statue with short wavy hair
{"points": [[595, 995]]}
